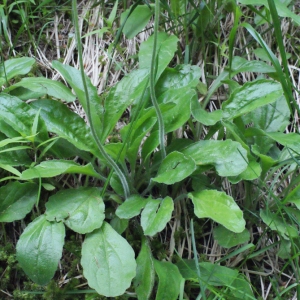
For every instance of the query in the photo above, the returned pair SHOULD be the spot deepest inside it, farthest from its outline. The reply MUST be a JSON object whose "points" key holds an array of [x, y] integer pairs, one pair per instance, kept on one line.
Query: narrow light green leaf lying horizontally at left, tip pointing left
{"points": [[52, 168]]}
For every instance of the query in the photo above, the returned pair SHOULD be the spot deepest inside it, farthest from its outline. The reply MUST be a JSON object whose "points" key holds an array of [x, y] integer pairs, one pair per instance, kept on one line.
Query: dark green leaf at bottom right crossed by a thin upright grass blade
{"points": [[211, 274]]}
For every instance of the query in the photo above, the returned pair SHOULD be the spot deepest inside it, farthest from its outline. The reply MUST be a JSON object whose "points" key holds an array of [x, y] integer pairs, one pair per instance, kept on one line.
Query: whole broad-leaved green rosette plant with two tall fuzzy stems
{"points": [[133, 186]]}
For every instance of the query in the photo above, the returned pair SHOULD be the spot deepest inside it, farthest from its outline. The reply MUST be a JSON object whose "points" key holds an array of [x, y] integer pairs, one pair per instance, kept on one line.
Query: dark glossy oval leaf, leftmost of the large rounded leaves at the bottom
{"points": [[39, 249]]}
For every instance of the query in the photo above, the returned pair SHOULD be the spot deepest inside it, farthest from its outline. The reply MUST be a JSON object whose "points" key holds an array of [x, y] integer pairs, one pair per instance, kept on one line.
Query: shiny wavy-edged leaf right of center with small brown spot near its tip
{"points": [[228, 157]]}
